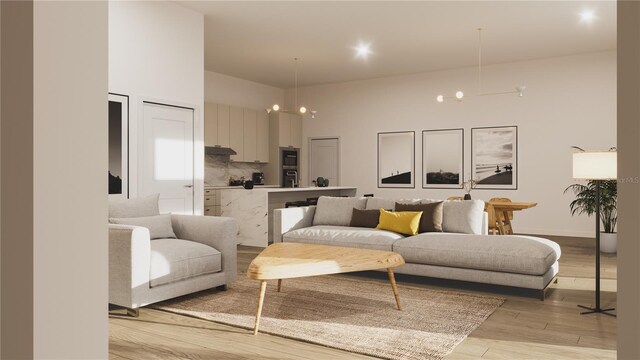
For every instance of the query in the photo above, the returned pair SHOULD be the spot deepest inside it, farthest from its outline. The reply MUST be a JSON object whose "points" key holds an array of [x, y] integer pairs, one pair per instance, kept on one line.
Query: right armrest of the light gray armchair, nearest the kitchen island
{"points": [[215, 231]]}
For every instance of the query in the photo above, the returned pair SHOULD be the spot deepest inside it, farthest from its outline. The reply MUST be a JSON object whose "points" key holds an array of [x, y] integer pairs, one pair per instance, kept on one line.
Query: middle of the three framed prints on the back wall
{"points": [[442, 159]]}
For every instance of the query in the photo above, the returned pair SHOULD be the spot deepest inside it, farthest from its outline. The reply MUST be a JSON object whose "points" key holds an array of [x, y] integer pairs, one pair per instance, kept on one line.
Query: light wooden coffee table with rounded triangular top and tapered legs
{"points": [[291, 260]]}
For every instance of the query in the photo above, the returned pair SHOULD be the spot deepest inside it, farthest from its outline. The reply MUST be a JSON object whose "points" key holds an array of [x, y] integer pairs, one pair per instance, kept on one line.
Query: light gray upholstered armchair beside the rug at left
{"points": [[143, 271]]}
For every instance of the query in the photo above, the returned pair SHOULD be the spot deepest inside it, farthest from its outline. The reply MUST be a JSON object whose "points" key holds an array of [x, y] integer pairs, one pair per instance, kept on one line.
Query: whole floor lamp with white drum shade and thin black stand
{"points": [[597, 166]]}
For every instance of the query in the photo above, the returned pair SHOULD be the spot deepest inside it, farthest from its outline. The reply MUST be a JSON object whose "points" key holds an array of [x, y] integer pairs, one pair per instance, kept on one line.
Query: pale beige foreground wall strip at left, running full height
{"points": [[70, 253]]}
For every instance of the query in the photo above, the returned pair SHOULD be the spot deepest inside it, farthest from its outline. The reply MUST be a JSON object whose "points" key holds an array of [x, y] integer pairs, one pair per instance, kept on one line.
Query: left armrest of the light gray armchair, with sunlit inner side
{"points": [[129, 262]]}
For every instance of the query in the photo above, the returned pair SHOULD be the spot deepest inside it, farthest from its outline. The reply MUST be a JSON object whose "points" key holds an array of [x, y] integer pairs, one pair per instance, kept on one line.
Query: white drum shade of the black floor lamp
{"points": [[601, 165]]}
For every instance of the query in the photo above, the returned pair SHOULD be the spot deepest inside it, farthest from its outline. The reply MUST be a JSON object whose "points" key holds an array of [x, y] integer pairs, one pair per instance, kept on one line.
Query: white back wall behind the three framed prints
{"points": [[568, 101]]}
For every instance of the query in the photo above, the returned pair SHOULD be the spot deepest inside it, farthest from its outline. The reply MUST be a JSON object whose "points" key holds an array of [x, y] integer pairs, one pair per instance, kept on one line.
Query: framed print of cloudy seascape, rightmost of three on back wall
{"points": [[494, 157]]}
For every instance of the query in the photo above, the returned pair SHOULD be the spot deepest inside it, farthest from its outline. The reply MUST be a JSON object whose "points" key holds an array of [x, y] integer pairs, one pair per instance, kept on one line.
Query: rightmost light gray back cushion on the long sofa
{"points": [[463, 216]]}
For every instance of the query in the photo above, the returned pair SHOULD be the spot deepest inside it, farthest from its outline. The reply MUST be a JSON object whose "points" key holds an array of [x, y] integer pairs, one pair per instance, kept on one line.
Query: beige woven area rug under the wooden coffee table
{"points": [[347, 313]]}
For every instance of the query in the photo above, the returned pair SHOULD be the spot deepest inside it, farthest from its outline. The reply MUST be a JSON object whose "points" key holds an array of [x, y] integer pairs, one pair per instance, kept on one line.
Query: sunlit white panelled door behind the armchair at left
{"points": [[167, 157]]}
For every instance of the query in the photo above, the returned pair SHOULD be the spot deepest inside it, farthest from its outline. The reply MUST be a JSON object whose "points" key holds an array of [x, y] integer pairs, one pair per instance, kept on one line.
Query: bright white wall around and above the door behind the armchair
{"points": [[156, 53]]}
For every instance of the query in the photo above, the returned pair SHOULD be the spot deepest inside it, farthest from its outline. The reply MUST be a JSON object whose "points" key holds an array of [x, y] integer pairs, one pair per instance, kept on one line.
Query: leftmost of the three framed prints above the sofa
{"points": [[396, 159]]}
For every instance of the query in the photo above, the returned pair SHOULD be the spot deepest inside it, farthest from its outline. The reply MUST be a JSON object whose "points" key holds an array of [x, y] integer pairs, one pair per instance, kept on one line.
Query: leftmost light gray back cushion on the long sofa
{"points": [[336, 210]]}
